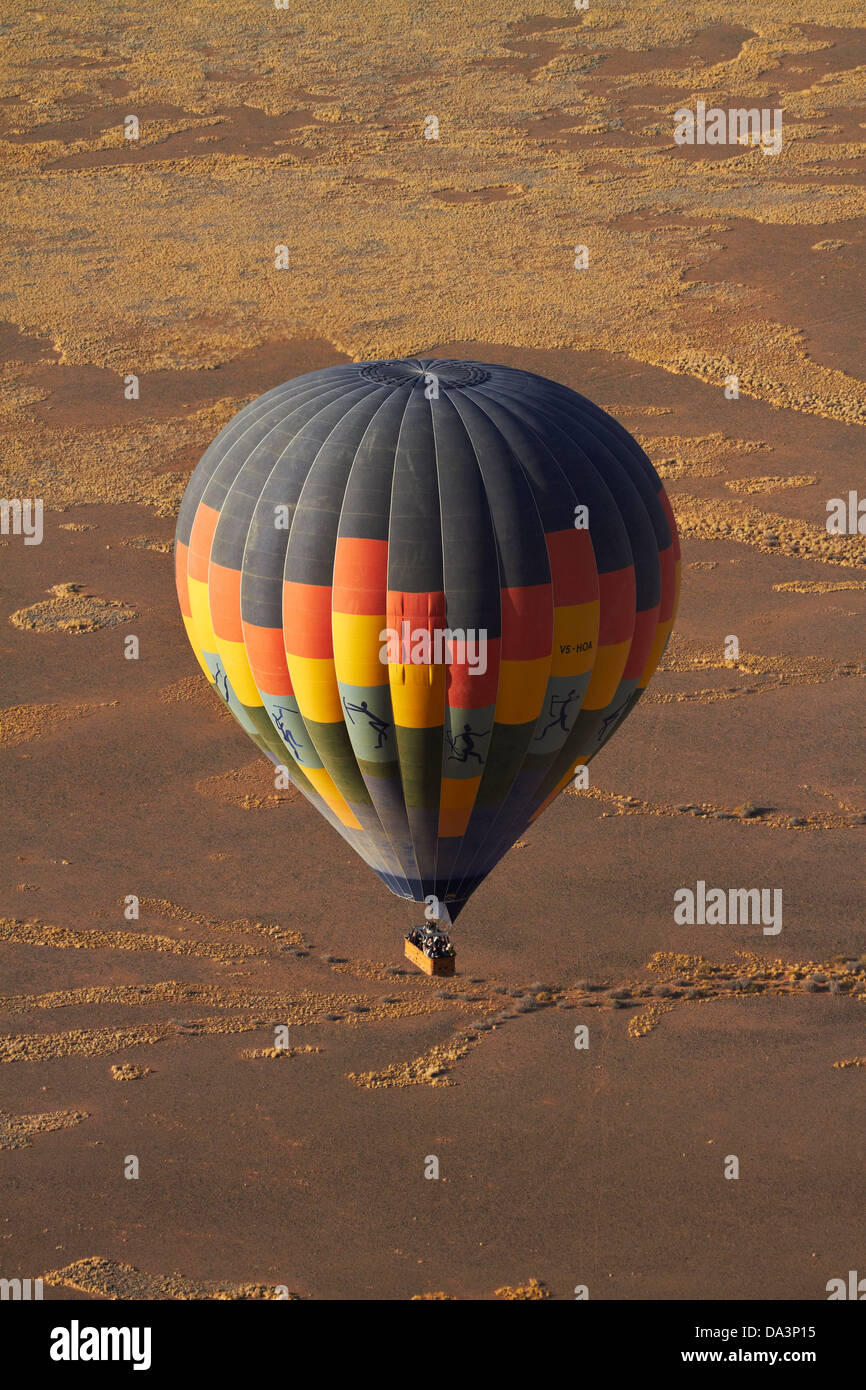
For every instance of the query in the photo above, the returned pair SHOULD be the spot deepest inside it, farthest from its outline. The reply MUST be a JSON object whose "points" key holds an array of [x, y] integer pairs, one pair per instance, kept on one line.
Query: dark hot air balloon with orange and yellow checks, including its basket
{"points": [[430, 590]]}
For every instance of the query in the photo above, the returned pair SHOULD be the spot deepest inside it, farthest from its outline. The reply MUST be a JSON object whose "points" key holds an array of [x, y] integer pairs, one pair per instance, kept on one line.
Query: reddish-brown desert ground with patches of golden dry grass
{"points": [[601, 1168]]}
